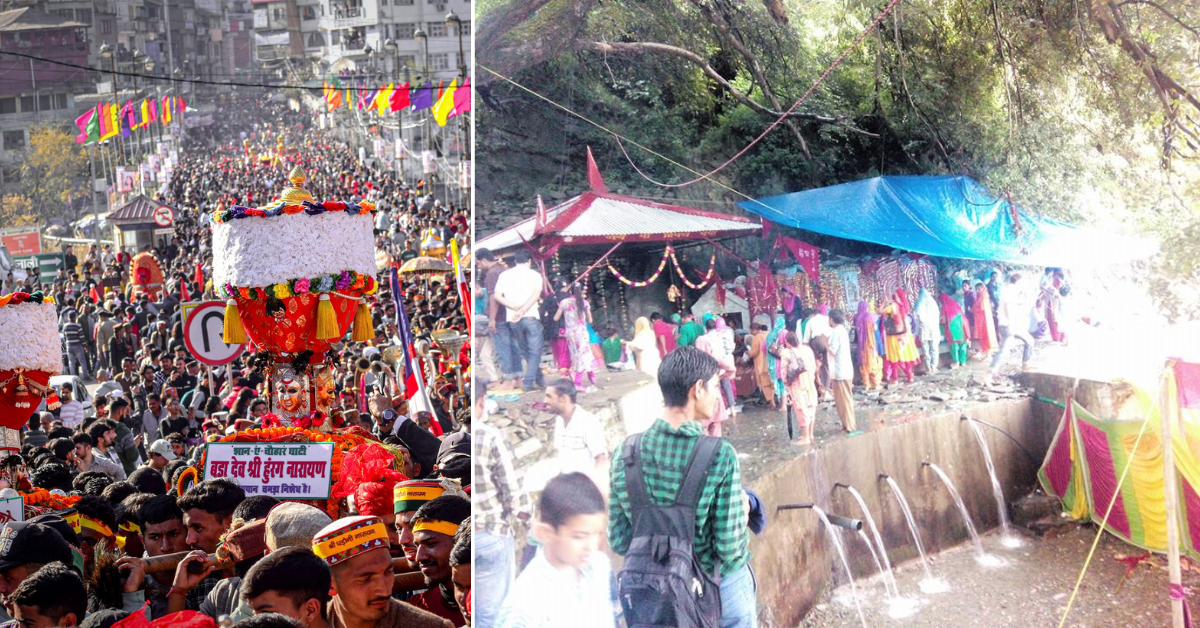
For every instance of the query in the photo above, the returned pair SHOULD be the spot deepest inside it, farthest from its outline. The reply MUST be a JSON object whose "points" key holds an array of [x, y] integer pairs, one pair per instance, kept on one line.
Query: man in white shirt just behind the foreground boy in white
{"points": [[579, 435]]}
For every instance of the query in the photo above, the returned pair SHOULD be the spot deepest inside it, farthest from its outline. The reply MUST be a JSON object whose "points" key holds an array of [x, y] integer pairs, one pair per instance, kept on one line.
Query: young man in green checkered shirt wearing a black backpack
{"points": [[679, 513]]}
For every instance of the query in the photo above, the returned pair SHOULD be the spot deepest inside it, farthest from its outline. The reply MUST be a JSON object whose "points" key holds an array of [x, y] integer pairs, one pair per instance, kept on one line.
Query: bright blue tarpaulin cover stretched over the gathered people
{"points": [[946, 217]]}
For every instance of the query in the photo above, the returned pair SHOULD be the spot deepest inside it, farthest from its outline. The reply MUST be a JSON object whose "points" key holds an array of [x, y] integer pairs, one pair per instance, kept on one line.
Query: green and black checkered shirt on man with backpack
{"points": [[722, 535]]}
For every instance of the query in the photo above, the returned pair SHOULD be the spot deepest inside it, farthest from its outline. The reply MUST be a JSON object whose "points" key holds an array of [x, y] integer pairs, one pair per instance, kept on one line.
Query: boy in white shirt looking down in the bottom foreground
{"points": [[569, 582]]}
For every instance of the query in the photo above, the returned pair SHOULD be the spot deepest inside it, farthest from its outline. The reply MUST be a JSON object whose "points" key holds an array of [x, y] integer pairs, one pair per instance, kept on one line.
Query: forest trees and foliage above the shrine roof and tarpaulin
{"points": [[1084, 111]]}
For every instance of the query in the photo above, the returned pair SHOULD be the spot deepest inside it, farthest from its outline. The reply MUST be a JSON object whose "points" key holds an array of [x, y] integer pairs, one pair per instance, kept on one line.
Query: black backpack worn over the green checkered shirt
{"points": [[662, 584]]}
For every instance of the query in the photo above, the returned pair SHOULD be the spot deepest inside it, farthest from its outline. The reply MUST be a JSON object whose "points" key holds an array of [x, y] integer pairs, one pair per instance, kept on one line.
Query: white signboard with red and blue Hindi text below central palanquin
{"points": [[287, 471]]}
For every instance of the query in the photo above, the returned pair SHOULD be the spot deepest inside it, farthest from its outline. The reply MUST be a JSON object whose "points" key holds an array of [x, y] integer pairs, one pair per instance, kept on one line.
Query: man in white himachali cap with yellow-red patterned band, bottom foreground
{"points": [[356, 548]]}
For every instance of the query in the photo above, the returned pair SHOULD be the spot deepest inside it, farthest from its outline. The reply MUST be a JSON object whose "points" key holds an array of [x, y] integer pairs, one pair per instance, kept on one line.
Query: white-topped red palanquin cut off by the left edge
{"points": [[31, 354]]}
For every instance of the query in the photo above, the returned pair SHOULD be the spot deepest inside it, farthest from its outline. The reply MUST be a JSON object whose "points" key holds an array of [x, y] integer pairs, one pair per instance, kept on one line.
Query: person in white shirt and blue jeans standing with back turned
{"points": [[519, 290]]}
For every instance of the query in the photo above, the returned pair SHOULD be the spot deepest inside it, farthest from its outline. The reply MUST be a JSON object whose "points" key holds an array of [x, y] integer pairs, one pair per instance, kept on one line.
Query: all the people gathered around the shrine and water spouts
{"points": [[538, 336]]}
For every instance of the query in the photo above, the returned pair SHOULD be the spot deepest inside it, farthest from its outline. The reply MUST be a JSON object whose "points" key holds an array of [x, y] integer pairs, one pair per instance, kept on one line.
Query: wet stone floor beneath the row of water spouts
{"points": [[1029, 589]]}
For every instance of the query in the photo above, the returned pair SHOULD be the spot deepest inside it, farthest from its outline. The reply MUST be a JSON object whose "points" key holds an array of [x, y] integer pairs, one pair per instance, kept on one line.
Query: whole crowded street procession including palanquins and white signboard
{"points": [[261, 418]]}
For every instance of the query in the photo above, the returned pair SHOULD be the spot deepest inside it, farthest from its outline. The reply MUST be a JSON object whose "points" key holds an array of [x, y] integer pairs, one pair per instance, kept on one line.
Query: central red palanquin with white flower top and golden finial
{"points": [[295, 276]]}
